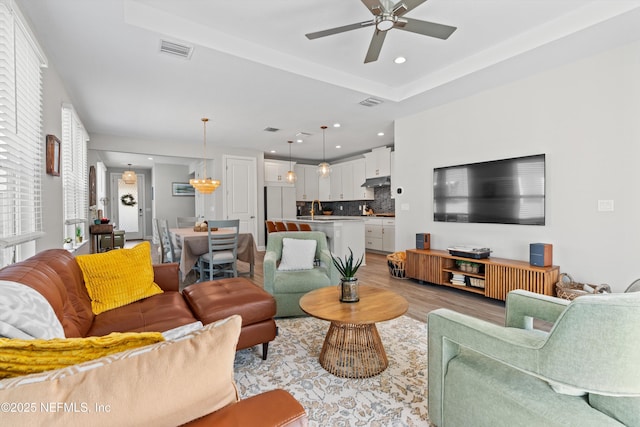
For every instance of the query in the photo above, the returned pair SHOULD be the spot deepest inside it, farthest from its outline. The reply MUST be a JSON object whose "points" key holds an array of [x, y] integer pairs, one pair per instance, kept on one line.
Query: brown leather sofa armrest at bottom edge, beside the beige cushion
{"points": [[272, 408]]}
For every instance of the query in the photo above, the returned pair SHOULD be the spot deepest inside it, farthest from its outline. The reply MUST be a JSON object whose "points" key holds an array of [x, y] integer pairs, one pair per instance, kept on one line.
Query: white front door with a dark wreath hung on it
{"points": [[127, 206]]}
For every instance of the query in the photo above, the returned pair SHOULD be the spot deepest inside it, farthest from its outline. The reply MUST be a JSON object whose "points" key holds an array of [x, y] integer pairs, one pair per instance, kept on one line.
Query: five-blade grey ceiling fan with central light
{"points": [[386, 16]]}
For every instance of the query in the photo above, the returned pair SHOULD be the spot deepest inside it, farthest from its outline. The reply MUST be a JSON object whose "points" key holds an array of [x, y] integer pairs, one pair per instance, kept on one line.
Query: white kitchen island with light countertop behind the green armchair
{"points": [[343, 232]]}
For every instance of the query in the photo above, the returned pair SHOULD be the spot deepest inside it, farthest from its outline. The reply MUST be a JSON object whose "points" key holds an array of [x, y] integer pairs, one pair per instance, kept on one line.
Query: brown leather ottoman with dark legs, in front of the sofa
{"points": [[217, 299]]}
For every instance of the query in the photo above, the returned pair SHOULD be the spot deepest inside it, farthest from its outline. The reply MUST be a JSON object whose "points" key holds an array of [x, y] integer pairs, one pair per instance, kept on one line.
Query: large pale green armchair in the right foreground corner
{"points": [[482, 374]]}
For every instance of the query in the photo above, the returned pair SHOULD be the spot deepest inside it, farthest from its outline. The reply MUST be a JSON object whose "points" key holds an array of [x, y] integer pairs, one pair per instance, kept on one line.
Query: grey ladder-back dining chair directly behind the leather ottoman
{"points": [[222, 258]]}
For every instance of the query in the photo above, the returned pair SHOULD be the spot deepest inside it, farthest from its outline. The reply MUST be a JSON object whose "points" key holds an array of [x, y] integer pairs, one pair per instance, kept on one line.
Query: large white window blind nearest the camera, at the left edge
{"points": [[21, 141]]}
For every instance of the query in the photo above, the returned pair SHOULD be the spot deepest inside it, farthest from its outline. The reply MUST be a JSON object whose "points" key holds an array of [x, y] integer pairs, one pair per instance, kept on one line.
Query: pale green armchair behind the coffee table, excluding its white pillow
{"points": [[288, 287]]}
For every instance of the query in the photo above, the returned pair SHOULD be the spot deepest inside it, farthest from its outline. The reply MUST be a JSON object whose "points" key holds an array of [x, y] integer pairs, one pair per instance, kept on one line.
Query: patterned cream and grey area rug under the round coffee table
{"points": [[396, 397]]}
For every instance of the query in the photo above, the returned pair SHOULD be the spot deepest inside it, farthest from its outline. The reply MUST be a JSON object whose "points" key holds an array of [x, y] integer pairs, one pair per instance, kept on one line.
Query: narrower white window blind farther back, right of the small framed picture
{"points": [[74, 172]]}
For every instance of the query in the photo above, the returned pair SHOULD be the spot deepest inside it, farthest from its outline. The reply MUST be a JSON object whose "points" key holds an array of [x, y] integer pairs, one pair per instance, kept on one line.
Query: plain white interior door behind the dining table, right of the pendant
{"points": [[241, 201]]}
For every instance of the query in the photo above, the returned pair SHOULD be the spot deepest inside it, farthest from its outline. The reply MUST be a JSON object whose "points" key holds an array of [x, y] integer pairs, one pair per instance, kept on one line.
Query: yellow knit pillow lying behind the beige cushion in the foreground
{"points": [[23, 357]]}
